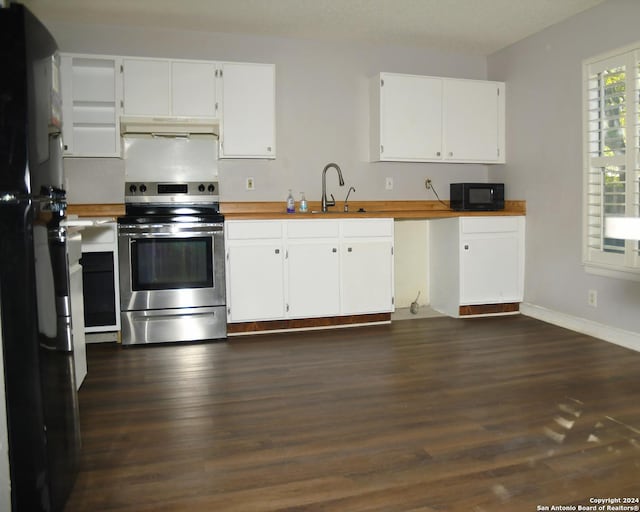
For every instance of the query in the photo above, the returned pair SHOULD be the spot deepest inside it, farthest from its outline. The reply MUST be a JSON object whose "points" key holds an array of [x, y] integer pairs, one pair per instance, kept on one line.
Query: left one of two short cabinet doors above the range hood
{"points": [[147, 87]]}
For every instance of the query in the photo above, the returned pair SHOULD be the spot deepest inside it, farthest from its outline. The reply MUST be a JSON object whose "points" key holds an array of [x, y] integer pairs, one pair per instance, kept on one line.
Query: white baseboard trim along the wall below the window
{"points": [[627, 339]]}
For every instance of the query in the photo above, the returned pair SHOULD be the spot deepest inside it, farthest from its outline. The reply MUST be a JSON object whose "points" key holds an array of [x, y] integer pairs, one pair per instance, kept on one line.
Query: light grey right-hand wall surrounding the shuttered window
{"points": [[544, 148]]}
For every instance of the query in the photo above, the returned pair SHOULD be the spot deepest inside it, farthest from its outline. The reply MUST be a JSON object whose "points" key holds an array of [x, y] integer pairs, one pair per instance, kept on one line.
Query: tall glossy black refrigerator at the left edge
{"points": [[41, 399]]}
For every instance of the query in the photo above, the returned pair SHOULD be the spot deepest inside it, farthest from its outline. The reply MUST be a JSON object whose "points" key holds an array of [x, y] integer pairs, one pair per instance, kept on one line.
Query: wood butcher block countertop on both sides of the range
{"points": [[277, 210]]}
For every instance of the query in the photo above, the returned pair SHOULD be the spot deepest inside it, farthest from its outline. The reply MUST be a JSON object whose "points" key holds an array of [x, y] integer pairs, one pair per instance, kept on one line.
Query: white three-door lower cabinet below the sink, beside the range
{"points": [[326, 268]]}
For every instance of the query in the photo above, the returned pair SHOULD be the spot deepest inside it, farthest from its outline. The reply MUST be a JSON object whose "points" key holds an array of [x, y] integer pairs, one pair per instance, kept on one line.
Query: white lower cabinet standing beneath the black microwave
{"points": [[476, 261]]}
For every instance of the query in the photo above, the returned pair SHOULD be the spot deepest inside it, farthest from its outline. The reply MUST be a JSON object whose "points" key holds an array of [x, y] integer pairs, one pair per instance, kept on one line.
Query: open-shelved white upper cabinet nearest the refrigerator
{"points": [[91, 95]]}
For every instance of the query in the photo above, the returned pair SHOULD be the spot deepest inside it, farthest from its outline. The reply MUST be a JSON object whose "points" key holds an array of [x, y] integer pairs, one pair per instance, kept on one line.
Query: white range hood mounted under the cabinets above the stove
{"points": [[169, 126]]}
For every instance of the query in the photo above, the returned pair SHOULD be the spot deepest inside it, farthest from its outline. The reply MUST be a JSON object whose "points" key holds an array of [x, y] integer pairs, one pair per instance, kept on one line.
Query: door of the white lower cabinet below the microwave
{"points": [[490, 268]]}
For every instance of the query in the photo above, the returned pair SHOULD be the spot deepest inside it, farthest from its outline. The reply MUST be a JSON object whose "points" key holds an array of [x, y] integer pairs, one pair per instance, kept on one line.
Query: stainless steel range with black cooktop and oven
{"points": [[171, 257]]}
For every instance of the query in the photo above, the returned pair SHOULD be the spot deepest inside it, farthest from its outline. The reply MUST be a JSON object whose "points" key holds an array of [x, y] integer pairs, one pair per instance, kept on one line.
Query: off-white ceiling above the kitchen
{"points": [[478, 27]]}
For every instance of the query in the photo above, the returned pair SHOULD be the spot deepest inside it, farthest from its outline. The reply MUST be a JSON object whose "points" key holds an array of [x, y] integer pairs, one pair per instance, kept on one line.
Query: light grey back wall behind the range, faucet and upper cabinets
{"points": [[322, 112]]}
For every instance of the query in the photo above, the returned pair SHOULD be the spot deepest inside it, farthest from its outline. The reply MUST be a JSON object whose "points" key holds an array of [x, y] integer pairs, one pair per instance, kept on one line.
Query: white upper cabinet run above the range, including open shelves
{"points": [[103, 94]]}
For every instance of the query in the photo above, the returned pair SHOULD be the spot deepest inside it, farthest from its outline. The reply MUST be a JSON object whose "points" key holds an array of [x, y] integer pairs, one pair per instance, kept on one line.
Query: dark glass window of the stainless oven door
{"points": [[172, 263]]}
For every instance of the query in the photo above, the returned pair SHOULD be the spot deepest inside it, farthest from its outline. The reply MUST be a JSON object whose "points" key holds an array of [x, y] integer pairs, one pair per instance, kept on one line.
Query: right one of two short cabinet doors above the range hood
{"points": [[193, 91]]}
